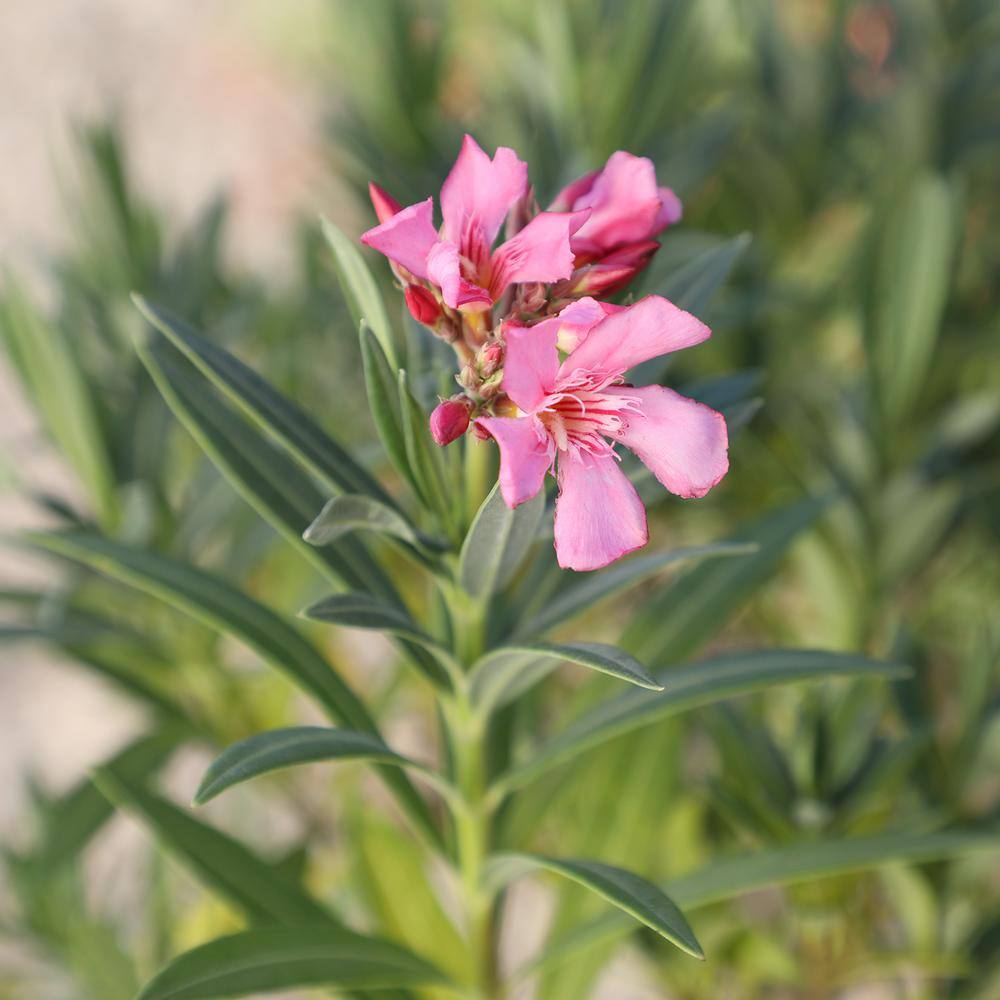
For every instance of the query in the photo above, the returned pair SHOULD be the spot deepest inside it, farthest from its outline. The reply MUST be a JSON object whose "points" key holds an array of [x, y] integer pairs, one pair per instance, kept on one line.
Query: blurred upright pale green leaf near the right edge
{"points": [[911, 287]]}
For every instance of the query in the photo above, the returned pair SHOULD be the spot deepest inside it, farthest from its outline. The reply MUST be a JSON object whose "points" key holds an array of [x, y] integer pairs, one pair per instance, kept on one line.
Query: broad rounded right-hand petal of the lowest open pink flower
{"points": [[683, 442]]}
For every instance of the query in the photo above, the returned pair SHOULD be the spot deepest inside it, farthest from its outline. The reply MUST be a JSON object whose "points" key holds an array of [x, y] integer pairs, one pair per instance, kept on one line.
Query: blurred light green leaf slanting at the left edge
{"points": [[46, 362]]}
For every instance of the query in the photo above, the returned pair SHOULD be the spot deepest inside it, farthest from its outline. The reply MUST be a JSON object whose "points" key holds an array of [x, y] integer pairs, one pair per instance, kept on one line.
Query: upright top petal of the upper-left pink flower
{"points": [[479, 192]]}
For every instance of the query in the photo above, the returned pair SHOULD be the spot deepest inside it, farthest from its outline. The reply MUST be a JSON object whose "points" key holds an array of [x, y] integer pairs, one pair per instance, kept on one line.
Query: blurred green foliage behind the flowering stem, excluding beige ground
{"points": [[859, 144]]}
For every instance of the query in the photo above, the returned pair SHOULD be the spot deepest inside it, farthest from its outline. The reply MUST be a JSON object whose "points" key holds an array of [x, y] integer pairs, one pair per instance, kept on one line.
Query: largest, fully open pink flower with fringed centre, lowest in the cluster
{"points": [[573, 413]]}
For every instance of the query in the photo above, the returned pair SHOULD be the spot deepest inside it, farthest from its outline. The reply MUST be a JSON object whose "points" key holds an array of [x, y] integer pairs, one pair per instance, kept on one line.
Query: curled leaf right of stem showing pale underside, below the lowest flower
{"points": [[506, 668]]}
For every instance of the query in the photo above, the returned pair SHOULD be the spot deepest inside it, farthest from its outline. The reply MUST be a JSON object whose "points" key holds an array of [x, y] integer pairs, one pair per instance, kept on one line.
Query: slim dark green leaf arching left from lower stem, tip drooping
{"points": [[280, 748]]}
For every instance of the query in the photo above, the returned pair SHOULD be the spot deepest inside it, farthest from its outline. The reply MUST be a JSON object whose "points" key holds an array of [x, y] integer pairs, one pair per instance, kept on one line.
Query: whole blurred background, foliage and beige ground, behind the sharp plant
{"points": [[839, 166]]}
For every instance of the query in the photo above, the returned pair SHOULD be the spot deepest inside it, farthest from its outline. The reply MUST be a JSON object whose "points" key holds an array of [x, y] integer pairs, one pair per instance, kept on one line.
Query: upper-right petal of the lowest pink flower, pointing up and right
{"points": [[651, 327]]}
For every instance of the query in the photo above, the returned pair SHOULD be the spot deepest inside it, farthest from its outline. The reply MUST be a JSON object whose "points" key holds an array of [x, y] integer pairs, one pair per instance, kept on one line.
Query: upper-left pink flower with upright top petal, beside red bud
{"points": [[475, 199]]}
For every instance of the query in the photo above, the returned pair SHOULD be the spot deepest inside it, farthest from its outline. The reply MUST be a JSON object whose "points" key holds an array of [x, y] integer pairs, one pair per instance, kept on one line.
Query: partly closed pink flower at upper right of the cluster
{"points": [[626, 205]]}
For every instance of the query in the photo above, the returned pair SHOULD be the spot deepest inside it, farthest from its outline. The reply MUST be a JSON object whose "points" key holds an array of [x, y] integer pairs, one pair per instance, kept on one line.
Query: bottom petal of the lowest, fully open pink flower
{"points": [[599, 516]]}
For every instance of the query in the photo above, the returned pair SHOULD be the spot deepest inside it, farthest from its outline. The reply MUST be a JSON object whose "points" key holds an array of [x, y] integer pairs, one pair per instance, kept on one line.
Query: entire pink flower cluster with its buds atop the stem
{"points": [[543, 361]]}
